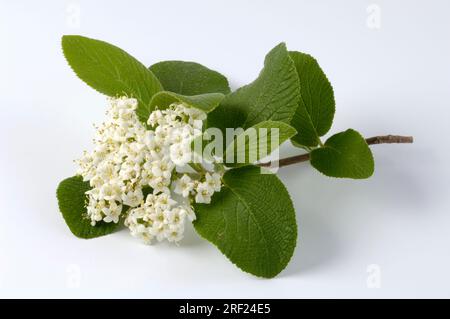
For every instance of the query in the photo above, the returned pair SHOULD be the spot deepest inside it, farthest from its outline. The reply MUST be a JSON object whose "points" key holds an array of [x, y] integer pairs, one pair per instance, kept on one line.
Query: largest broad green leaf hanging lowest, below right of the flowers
{"points": [[252, 221]]}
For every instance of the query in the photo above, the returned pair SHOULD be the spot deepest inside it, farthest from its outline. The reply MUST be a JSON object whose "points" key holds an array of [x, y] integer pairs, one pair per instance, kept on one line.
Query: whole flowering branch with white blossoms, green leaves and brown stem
{"points": [[143, 171]]}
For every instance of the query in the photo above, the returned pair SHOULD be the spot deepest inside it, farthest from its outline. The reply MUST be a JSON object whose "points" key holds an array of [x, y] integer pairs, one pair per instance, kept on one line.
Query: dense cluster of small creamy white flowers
{"points": [[129, 159]]}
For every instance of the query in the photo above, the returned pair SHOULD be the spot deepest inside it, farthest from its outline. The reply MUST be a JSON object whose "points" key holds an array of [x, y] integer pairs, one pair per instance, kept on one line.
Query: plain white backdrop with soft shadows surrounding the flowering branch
{"points": [[391, 79]]}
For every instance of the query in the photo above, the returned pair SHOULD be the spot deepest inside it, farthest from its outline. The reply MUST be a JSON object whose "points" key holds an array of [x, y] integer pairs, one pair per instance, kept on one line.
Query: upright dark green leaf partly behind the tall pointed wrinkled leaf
{"points": [[315, 112]]}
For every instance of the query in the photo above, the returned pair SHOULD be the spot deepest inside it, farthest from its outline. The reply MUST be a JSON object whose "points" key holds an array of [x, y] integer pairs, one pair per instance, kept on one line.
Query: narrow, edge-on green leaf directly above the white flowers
{"points": [[205, 102]]}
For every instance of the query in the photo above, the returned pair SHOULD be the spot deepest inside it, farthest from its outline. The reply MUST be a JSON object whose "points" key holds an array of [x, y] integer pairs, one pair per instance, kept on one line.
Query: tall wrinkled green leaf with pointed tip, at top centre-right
{"points": [[274, 95]]}
